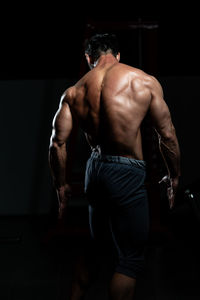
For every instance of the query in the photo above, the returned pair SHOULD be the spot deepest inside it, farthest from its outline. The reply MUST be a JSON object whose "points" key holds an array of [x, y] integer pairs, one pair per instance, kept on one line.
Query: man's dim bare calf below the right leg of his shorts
{"points": [[122, 287]]}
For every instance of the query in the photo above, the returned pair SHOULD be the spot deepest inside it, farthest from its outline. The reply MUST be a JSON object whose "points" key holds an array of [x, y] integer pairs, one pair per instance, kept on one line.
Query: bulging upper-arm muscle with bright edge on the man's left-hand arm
{"points": [[62, 124]]}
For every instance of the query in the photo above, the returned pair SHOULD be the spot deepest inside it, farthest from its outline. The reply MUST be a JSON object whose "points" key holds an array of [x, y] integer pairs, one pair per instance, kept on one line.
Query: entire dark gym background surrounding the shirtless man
{"points": [[41, 54]]}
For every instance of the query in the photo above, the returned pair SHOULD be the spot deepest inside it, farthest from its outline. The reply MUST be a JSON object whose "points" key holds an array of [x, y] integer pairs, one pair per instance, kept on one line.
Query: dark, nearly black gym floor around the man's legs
{"points": [[36, 259]]}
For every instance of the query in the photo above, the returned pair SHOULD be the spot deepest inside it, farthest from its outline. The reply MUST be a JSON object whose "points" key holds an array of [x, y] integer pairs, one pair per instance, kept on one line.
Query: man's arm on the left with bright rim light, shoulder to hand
{"points": [[62, 127]]}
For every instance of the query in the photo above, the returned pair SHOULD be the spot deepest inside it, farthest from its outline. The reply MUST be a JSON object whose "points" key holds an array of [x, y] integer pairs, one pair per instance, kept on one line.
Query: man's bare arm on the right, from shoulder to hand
{"points": [[168, 141]]}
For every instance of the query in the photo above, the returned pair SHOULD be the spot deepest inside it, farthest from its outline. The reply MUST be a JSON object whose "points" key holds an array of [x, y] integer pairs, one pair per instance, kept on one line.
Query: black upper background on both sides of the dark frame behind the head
{"points": [[46, 41]]}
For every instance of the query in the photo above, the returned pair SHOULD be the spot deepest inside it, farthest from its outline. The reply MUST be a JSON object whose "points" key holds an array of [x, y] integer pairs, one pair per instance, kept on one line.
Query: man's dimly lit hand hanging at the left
{"points": [[64, 194]]}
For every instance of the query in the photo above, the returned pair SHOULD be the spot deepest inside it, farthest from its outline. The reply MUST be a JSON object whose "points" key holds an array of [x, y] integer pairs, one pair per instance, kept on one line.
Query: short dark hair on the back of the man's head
{"points": [[102, 43]]}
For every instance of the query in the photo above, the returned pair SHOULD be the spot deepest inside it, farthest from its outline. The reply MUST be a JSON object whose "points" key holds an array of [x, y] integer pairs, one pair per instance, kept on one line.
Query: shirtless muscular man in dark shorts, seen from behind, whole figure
{"points": [[109, 103]]}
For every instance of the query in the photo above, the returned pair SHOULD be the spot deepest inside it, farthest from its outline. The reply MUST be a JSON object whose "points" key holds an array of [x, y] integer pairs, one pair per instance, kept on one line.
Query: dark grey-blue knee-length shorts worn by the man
{"points": [[118, 207]]}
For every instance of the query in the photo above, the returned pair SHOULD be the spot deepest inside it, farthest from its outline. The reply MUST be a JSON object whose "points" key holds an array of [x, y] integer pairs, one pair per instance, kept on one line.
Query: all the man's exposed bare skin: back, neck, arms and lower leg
{"points": [[109, 103]]}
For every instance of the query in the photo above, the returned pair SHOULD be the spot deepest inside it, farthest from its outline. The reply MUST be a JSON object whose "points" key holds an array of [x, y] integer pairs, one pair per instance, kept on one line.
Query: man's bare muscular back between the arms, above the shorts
{"points": [[110, 103]]}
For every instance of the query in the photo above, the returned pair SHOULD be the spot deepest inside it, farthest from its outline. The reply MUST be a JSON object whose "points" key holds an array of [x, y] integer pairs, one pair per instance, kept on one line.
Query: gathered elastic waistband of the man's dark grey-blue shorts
{"points": [[119, 159]]}
